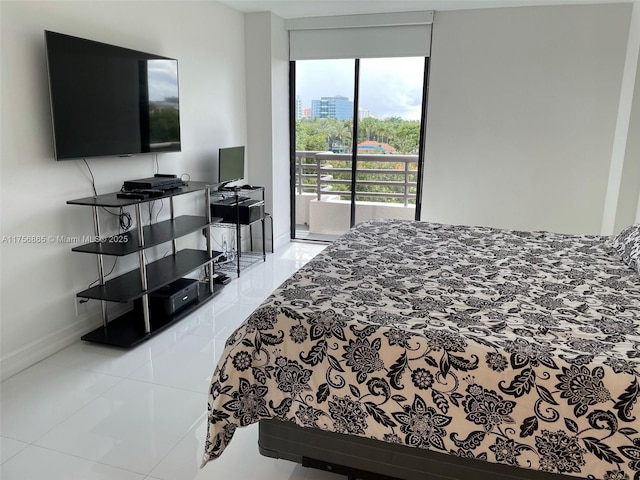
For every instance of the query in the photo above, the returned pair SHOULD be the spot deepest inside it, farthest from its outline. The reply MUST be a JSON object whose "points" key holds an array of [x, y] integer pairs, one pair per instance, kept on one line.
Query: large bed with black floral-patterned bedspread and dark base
{"points": [[414, 348]]}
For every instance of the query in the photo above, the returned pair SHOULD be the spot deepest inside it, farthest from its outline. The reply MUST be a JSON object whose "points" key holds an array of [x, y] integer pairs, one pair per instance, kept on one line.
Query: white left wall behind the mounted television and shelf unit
{"points": [[39, 282]]}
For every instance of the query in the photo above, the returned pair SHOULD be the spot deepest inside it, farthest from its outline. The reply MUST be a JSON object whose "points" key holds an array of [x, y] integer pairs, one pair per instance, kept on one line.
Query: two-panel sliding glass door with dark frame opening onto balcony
{"points": [[358, 131]]}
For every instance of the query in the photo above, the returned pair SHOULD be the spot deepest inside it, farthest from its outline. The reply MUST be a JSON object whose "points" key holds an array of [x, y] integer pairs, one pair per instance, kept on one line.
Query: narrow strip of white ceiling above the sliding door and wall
{"points": [[319, 8]]}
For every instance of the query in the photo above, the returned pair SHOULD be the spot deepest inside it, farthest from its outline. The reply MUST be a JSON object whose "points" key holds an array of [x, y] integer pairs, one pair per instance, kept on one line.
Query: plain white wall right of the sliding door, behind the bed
{"points": [[522, 115]]}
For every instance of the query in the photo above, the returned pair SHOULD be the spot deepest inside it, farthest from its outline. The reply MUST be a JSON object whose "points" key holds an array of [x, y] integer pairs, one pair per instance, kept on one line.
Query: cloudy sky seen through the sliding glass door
{"points": [[389, 87]]}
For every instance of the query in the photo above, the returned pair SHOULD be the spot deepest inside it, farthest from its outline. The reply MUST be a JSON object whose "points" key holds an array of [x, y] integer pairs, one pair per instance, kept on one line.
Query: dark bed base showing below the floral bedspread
{"points": [[369, 459]]}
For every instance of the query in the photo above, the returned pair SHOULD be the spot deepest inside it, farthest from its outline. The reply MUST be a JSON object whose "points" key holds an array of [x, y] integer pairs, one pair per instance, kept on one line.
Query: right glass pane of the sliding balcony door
{"points": [[390, 107]]}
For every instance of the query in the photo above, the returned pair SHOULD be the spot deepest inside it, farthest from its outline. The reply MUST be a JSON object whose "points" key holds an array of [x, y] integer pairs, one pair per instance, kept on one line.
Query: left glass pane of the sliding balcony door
{"points": [[324, 142]]}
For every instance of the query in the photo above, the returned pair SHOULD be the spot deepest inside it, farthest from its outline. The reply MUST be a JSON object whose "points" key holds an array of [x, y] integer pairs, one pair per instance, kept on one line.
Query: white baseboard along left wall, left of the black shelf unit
{"points": [[23, 358]]}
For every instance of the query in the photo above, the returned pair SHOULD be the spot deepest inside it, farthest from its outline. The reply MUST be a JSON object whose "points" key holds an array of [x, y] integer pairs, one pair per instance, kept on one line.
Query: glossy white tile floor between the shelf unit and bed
{"points": [[91, 412]]}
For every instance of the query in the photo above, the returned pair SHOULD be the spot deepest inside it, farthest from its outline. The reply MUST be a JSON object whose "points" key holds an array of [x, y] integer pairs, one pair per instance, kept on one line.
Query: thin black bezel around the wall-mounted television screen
{"points": [[172, 147]]}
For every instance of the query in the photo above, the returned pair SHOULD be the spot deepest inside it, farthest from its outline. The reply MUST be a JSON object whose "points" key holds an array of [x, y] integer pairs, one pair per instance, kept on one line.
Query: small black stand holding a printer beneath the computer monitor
{"points": [[240, 207]]}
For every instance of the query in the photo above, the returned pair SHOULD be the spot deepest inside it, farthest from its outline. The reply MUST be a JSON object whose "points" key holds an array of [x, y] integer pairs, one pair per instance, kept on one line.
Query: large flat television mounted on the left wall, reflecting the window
{"points": [[110, 101]]}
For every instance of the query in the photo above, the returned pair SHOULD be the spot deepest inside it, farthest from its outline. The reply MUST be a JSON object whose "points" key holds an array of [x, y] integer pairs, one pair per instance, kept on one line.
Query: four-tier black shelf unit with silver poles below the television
{"points": [[142, 322]]}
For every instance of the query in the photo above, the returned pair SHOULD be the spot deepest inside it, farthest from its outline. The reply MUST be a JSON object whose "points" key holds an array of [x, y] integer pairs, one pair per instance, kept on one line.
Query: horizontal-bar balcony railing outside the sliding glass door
{"points": [[326, 173]]}
